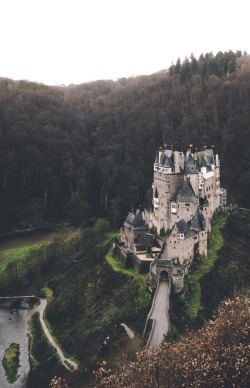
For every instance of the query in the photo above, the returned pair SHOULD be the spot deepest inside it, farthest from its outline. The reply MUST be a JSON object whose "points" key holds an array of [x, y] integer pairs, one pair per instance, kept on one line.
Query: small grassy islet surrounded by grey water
{"points": [[11, 362]]}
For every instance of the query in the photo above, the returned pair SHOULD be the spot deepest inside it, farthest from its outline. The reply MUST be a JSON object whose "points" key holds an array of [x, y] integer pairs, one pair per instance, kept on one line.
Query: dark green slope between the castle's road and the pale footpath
{"points": [[90, 302]]}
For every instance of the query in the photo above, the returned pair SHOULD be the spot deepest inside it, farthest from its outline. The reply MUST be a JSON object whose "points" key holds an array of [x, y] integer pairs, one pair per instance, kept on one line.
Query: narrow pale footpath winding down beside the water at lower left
{"points": [[69, 364]]}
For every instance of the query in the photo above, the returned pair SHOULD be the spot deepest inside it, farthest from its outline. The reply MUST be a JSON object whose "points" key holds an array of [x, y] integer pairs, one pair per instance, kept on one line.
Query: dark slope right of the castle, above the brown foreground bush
{"points": [[231, 271]]}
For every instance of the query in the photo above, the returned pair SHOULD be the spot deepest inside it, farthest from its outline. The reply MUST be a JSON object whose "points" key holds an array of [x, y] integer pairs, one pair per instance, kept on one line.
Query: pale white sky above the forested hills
{"points": [[75, 41]]}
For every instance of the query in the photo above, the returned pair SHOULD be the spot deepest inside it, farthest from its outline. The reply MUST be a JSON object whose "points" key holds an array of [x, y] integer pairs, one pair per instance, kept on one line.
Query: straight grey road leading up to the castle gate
{"points": [[160, 316]]}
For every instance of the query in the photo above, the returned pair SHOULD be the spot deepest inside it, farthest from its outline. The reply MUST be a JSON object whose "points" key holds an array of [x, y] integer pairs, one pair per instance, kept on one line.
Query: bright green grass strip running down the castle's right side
{"points": [[215, 243]]}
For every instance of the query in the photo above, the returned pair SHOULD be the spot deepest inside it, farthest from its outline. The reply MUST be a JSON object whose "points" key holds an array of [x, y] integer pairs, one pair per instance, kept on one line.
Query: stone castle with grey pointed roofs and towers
{"points": [[164, 239]]}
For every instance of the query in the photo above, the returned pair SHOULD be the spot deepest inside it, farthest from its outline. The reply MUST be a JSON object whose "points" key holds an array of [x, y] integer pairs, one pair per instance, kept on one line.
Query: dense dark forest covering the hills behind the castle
{"points": [[71, 153]]}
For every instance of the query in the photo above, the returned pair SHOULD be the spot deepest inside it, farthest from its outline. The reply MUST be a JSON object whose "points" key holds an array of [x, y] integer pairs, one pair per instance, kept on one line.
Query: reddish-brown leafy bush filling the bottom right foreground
{"points": [[216, 356]]}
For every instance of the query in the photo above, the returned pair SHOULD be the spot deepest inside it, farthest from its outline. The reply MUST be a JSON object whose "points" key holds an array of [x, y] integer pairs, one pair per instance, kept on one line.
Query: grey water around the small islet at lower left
{"points": [[13, 329]]}
